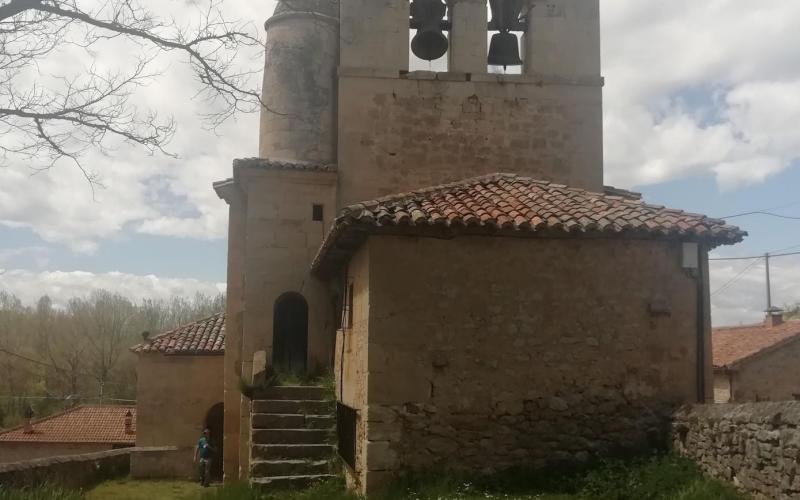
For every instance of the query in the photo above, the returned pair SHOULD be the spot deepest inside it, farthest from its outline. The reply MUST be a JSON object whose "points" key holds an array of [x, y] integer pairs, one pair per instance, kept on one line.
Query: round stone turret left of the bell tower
{"points": [[299, 90]]}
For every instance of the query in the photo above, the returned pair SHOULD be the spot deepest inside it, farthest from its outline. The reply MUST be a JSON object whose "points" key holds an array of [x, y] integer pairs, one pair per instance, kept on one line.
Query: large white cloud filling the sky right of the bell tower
{"points": [[699, 88]]}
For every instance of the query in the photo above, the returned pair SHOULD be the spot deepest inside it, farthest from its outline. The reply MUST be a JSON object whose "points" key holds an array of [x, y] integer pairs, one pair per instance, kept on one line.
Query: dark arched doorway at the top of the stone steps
{"points": [[290, 333]]}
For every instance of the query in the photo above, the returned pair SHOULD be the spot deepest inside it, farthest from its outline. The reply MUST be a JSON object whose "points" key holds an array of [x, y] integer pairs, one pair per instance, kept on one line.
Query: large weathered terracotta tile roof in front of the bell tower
{"points": [[519, 206]]}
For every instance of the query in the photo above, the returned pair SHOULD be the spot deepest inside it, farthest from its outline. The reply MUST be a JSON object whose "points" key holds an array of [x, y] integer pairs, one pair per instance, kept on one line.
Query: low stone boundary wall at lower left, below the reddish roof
{"points": [[74, 471]]}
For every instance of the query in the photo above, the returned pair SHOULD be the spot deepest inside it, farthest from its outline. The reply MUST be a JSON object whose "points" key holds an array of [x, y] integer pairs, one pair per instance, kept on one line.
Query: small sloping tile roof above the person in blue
{"points": [[204, 337]]}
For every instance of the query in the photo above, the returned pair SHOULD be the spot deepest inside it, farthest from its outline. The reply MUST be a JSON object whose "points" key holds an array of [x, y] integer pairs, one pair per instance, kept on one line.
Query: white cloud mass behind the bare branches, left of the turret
{"points": [[58, 204]]}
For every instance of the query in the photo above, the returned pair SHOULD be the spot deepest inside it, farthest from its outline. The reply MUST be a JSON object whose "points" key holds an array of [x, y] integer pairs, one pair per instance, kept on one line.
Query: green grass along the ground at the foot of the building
{"points": [[649, 478]]}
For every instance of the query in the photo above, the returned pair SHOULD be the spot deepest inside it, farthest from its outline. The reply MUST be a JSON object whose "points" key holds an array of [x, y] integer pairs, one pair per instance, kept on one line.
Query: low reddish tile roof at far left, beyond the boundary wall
{"points": [[82, 424]]}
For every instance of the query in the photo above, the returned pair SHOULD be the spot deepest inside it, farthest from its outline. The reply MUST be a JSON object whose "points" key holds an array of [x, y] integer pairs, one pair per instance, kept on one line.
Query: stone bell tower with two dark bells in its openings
{"points": [[528, 102]]}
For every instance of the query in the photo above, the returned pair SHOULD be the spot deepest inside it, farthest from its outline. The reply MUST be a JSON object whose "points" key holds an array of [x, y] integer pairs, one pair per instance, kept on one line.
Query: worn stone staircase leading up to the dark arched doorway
{"points": [[292, 435]]}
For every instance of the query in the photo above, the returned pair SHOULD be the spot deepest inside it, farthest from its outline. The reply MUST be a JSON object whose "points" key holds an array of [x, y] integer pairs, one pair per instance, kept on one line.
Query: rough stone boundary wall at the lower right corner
{"points": [[755, 446]]}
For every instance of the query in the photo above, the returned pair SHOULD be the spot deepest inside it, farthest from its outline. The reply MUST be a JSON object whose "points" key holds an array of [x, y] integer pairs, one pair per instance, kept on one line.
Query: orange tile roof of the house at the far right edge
{"points": [[733, 345]]}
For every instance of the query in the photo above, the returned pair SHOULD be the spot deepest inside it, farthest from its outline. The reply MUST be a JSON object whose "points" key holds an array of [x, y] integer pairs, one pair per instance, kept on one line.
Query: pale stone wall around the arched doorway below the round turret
{"points": [[280, 242]]}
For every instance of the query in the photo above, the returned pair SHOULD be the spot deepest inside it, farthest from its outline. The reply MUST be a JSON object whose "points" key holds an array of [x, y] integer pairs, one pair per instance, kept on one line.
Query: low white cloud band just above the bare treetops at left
{"points": [[61, 286]]}
